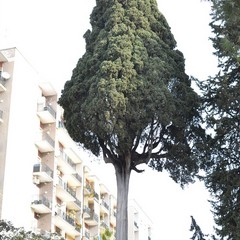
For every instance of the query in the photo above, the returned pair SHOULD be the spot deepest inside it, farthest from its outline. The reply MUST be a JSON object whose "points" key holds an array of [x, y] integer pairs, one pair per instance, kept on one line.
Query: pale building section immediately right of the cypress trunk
{"points": [[139, 224]]}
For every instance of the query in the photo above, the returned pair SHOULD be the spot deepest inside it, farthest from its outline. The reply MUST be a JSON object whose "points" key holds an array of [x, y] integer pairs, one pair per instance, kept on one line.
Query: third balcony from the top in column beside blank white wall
{"points": [[42, 173]]}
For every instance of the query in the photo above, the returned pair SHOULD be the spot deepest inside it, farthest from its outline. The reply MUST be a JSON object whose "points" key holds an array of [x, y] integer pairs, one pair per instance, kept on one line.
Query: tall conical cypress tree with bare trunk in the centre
{"points": [[129, 97]]}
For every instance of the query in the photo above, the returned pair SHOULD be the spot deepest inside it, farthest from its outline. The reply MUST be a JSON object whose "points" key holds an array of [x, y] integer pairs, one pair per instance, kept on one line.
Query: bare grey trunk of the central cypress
{"points": [[122, 177]]}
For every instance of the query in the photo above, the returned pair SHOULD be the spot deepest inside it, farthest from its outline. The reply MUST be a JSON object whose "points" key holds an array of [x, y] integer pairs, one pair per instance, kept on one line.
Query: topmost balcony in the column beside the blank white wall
{"points": [[46, 114]]}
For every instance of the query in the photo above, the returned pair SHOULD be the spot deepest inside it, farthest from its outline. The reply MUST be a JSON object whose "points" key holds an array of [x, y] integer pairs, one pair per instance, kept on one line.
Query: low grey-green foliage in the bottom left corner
{"points": [[10, 232]]}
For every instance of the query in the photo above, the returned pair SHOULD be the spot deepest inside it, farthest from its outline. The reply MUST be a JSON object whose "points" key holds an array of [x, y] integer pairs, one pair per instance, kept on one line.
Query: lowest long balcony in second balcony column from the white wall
{"points": [[66, 222]]}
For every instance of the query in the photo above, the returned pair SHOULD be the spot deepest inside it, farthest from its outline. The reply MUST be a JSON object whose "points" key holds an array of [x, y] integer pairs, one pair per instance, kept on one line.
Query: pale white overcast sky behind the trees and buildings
{"points": [[49, 33]]}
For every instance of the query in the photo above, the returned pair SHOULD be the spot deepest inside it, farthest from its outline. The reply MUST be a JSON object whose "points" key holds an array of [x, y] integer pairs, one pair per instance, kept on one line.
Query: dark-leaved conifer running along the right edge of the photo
{"points": [[221, 160]]}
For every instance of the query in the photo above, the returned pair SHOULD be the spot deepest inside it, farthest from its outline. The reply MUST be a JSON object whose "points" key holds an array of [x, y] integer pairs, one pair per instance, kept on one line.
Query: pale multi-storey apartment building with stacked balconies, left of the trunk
{"points": [[46, 184]]}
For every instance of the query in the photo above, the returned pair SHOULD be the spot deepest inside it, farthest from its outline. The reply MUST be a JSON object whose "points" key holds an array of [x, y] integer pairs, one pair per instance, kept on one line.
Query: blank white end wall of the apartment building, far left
{"points": [[19, 93]]}
